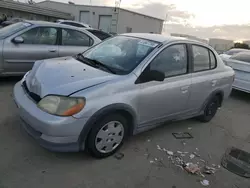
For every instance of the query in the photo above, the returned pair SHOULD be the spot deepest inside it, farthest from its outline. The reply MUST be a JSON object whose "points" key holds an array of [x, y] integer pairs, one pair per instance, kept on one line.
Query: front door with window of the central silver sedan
{"points": [[159, 101]]}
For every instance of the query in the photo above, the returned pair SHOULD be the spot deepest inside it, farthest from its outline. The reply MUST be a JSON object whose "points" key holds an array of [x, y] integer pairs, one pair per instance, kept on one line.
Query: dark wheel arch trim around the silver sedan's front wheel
{"points": [[102, 112]]}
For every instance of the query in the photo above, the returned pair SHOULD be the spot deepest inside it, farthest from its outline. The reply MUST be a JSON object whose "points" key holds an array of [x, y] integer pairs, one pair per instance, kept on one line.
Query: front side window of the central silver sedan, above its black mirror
{"points": [[172, 60]]}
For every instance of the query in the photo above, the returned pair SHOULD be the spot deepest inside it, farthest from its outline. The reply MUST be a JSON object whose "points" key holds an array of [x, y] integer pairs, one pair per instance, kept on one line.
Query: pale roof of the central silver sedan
{"points": [[157, 37]]}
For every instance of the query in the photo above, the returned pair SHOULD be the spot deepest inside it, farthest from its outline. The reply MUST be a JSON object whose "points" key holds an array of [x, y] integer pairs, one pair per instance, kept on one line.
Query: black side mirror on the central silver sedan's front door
{"points": [[151, 75]]}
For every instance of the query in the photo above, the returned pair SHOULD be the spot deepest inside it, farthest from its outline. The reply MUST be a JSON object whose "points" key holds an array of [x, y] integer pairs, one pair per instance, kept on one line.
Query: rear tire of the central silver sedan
{"points": [[210, 110]]}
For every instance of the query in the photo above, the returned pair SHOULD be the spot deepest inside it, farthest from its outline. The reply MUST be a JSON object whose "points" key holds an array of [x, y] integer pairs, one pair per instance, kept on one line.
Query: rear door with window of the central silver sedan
{"points": [[204, 76]]}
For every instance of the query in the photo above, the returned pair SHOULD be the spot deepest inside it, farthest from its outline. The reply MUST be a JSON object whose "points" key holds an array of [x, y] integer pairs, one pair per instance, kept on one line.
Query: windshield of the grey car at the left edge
{"points": [[13, 28]]}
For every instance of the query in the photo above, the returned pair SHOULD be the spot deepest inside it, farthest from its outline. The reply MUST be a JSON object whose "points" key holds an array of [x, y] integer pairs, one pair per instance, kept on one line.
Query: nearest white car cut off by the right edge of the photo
{"points": [[240, 62]]}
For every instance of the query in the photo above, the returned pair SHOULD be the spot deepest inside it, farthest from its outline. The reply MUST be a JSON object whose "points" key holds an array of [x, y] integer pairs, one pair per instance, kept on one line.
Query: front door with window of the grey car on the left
{"points": [[38, 43]]}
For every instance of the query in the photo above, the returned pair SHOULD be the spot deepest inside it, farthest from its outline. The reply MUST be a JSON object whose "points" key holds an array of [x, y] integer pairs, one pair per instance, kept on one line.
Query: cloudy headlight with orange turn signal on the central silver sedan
{"points": [[61, 106]]}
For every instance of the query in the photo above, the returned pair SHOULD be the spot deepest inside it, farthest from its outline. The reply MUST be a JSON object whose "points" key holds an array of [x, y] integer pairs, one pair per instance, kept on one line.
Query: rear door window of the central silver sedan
{"points": [[203, 59]]}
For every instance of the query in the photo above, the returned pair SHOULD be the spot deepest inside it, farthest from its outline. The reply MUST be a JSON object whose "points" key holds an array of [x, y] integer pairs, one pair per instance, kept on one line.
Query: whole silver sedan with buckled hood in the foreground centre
{"points": [[125, 85]]}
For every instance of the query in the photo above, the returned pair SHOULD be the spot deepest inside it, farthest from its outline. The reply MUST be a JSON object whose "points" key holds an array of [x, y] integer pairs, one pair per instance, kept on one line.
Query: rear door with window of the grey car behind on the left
{"points": [[74, 42]]}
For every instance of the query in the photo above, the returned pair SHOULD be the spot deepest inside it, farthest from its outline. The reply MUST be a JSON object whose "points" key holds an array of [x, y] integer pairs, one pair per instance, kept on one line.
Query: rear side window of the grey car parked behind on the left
{"points": [[75, 38]]}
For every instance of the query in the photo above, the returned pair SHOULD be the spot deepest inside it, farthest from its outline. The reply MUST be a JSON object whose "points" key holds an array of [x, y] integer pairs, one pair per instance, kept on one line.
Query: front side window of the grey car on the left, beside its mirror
{"points": [[40, 35]]}
